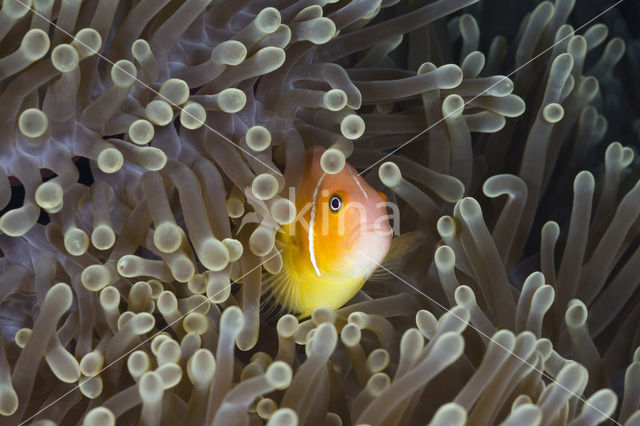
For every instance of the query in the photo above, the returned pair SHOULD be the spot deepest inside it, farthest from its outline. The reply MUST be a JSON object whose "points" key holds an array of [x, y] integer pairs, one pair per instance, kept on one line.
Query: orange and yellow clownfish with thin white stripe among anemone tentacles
{"points": [[339, 238]]}
